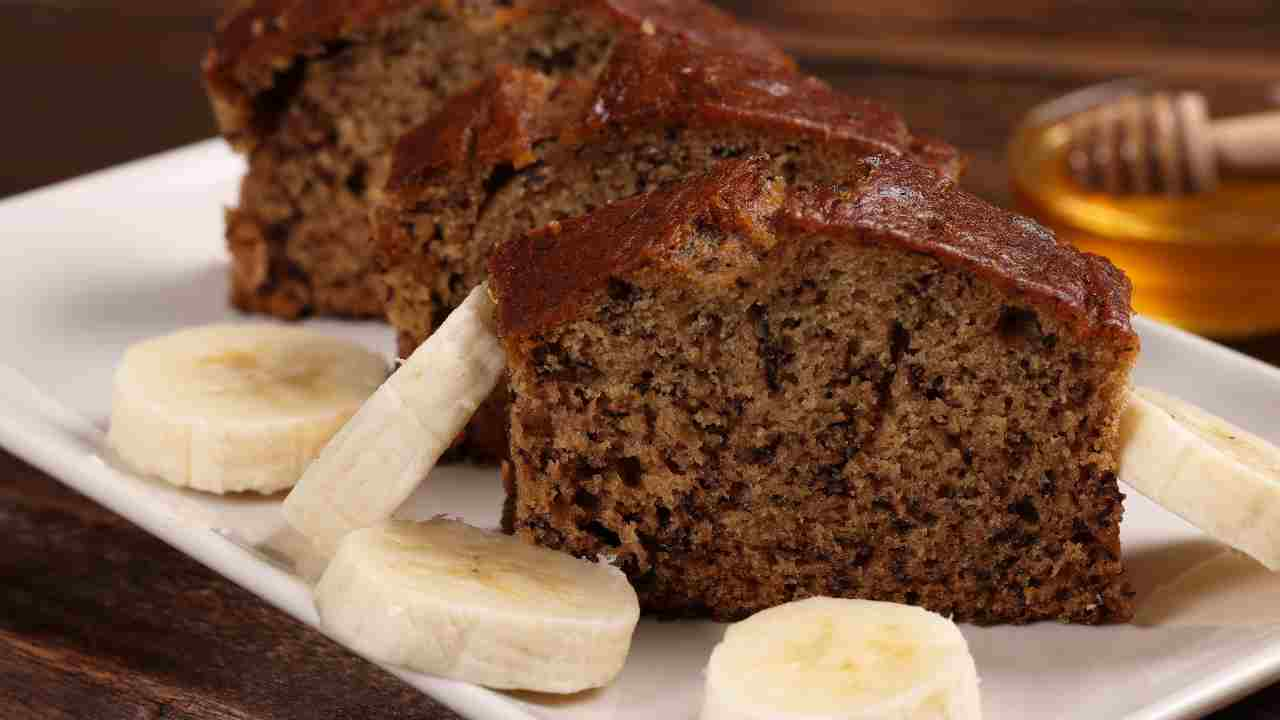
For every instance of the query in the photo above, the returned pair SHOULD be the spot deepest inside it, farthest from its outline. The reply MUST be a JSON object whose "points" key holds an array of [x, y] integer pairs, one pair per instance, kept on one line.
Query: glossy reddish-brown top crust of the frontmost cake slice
{"points": [[543, 279]]}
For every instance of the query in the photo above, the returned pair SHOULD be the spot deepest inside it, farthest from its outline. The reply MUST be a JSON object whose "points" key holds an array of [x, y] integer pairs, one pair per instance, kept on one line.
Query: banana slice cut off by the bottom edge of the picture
{"points": [[828, 659]]}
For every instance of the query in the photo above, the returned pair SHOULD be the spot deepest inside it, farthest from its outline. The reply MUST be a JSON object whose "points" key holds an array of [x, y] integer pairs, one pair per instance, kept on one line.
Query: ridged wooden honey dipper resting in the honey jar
{"points": [[1167, 144]]}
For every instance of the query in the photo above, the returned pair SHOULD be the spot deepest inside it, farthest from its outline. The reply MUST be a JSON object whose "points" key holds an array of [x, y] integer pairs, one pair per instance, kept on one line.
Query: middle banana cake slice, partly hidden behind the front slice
{"points": [[524, 149]]}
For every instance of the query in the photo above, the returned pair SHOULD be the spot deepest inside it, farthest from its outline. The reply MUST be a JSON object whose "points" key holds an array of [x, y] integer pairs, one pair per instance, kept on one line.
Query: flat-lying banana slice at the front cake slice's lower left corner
{"points": [[451, 600]]}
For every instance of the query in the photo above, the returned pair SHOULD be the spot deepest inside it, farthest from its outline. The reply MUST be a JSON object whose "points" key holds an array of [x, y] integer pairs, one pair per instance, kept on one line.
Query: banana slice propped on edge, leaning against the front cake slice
{"points": [[386, 452]]}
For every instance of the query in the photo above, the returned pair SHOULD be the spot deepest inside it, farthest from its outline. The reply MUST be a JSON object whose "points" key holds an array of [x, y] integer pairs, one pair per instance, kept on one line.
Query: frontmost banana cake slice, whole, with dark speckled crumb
{"points": [[749, 391]]}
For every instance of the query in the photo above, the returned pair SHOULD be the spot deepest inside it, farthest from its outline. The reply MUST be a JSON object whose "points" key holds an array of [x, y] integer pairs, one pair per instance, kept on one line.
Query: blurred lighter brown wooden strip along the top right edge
{"points": [[1081, 39]]}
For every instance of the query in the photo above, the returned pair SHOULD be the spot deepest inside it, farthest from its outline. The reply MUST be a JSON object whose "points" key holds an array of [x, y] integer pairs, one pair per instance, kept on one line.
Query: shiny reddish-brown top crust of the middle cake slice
{"points": [[652, 81]]}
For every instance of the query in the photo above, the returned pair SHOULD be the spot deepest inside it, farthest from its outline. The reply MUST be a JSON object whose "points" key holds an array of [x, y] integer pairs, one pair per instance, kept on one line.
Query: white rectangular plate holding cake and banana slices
{"points": [[95, 265]]}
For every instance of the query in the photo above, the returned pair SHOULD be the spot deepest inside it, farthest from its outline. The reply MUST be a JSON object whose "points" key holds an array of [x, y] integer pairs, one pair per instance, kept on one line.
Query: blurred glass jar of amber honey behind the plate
{"points": [[1209, 263]]}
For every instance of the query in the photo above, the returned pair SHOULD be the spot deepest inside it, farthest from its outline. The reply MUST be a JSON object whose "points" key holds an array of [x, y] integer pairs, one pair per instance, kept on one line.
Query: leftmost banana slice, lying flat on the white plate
{"points": [[236, 408]]}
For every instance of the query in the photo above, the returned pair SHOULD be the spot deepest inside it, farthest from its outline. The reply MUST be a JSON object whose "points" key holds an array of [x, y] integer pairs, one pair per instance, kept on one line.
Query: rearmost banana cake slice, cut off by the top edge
{"points": [[317, 92]]}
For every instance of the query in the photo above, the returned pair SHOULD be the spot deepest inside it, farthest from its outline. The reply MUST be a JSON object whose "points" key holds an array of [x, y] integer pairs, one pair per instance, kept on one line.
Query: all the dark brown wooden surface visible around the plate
{"points": [[100, 621]]}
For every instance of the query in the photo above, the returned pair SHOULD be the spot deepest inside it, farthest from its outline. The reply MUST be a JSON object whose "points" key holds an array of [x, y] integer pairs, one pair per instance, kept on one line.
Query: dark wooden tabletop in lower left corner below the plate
{"points": [[100, 621]]}
